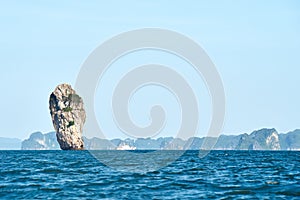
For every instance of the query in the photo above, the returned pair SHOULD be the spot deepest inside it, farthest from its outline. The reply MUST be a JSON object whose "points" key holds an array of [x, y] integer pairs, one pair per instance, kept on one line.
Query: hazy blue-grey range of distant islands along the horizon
{"points": [[264, 139]]}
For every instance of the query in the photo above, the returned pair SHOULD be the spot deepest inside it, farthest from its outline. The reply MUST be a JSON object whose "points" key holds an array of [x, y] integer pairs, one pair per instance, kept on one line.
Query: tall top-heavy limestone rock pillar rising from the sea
{"points": [[68, 117]]}
